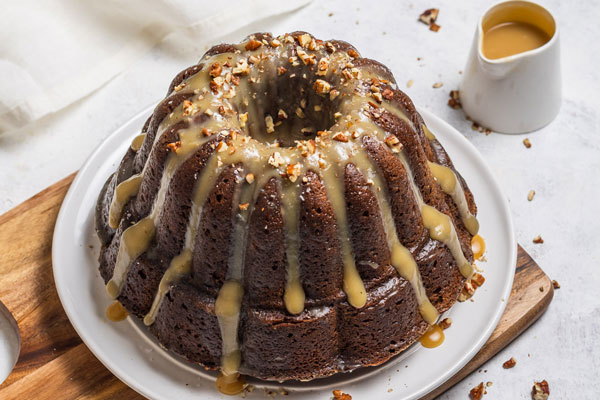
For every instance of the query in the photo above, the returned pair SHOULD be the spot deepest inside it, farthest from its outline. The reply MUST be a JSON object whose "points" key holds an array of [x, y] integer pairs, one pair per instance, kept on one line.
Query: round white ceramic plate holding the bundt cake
{"points": [[138, 360]]}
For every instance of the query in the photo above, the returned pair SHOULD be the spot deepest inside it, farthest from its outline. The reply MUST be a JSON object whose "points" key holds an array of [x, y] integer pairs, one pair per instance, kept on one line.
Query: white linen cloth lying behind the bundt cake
{"points": [[54, 52]]}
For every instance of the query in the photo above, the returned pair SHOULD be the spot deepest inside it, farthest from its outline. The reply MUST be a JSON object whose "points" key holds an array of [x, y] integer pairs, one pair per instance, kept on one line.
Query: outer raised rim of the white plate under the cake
{"points": [[428, 116]]}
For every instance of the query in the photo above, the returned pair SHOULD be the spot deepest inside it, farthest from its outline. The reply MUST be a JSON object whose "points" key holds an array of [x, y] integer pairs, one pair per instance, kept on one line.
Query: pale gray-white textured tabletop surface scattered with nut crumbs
{"points": [[561, 166]]}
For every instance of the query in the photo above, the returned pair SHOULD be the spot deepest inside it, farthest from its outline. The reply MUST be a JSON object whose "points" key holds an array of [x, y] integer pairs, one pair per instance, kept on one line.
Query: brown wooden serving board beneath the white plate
{"points": [[54, 363]]}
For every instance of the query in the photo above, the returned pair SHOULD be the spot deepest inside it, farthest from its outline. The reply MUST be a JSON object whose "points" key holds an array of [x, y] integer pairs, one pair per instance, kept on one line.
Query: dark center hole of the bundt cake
{"points": [[289, 110]]}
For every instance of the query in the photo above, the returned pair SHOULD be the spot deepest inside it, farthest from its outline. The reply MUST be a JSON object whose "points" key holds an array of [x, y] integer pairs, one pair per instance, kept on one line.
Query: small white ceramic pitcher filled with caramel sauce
{"points": [[518, 93]]}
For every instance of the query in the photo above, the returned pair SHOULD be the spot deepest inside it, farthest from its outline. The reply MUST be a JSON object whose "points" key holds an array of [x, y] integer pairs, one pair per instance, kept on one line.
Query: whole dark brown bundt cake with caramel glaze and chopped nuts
{"points": [[286, 214]]}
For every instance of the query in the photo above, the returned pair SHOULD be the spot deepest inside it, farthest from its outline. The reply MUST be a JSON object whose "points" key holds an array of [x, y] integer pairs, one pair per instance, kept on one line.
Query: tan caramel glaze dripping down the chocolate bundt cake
{"points": [[241, 135]]}
